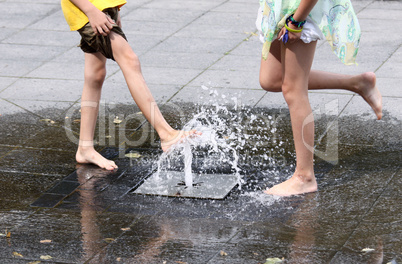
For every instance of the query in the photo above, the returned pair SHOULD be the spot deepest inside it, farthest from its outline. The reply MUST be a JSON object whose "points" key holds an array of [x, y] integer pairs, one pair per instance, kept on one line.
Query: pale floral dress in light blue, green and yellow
{"points": [[335, 18]]}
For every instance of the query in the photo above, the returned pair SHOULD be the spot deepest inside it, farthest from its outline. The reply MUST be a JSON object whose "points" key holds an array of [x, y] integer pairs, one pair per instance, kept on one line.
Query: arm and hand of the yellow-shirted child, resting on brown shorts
{"points": [[100, 22]]}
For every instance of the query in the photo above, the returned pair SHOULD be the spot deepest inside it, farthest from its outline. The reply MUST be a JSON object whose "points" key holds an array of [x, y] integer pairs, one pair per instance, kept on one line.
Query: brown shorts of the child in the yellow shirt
{"points": [[91, 42]]}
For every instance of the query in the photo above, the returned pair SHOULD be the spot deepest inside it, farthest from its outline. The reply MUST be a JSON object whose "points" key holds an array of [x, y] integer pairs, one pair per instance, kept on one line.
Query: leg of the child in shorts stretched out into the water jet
{"points": [[130, 66]]}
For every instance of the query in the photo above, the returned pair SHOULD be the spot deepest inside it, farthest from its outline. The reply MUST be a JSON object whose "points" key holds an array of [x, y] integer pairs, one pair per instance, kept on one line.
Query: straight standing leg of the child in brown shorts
{"points": [[94, 73]]}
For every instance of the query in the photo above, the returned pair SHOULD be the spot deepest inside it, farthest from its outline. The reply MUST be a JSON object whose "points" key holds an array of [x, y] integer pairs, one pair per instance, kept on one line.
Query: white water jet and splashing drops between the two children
{"points": [[233, 137]]}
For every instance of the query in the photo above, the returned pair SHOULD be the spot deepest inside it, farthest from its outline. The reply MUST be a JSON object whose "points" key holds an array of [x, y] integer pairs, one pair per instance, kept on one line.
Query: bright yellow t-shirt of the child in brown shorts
{"points": [[76, 19]]}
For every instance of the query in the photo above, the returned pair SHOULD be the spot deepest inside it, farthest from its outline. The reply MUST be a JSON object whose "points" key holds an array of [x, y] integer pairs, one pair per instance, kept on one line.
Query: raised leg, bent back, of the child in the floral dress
{"points": [[363, 84]]}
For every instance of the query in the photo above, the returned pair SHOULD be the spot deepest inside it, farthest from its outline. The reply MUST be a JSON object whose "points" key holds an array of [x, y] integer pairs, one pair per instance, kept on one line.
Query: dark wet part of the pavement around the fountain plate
{"points": [[94, 216]]}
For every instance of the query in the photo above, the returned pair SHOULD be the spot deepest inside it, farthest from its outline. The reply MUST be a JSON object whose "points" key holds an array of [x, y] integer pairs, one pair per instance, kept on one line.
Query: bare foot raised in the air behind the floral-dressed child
{"points": [[370, 93]]}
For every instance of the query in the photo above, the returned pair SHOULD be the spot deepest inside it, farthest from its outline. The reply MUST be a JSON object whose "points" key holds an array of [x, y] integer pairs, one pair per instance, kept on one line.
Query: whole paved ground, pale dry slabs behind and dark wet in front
{"points": [[53, 211]]}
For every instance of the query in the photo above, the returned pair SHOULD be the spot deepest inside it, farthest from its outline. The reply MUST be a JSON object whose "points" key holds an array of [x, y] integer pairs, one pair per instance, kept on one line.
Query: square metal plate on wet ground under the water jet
{"points": [[171, 183]]}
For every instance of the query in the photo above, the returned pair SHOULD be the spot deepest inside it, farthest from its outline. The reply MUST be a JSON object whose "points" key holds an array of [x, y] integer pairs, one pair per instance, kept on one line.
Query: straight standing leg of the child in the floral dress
{"points": [[297, 58]]}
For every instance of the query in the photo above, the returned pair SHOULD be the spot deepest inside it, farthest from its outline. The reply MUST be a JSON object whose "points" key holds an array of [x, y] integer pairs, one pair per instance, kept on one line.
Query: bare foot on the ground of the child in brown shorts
{"points": [[90, 155]]}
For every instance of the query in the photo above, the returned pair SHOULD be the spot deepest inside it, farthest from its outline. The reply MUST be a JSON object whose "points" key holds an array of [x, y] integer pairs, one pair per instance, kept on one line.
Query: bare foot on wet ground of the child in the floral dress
{"points": [[294, 186]]}
